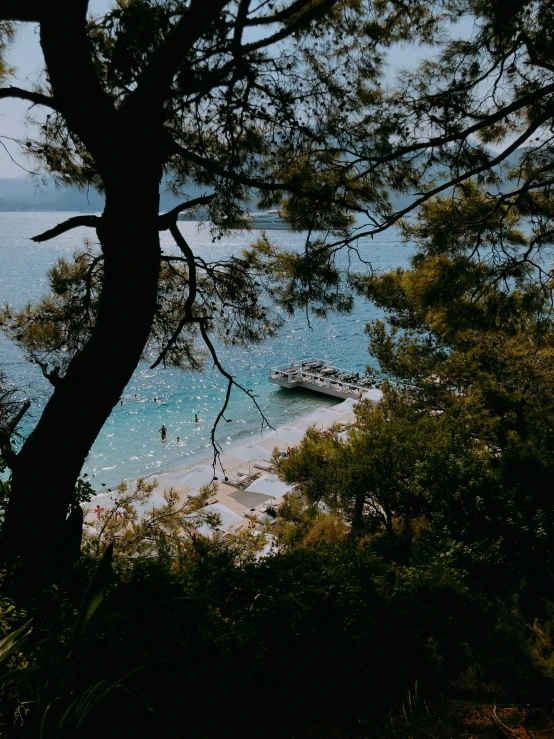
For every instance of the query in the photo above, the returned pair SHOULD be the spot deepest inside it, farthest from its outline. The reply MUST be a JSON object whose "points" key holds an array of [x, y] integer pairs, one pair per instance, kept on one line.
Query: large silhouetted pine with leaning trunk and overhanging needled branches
{"points": [[286, 103]]}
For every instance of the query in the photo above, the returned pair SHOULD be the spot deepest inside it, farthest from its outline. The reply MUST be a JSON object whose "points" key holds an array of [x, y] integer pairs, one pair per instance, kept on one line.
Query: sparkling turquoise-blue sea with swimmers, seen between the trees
{"points": [[129, 445]]}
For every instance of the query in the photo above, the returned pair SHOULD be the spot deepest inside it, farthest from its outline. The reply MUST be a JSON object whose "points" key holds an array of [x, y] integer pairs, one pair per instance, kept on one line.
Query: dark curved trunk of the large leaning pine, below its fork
{"points": [[51, 459]]}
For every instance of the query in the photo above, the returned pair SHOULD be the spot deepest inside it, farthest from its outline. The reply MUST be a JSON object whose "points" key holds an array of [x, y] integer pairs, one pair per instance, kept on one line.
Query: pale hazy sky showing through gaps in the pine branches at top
{"points": [[26, 57]]}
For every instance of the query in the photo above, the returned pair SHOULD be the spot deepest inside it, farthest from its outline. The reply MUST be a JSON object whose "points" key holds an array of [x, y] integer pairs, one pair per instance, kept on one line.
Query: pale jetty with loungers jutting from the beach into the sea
{"points": [[323, 377]]}
